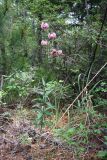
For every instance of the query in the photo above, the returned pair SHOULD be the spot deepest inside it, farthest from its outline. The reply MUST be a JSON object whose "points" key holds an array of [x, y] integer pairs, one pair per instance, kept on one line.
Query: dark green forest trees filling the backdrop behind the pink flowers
{"points": [[80, 27]]}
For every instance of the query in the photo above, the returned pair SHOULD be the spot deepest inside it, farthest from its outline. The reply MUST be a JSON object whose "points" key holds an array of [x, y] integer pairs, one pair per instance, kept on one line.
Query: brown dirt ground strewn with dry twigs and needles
{"points": [[20, 140]]}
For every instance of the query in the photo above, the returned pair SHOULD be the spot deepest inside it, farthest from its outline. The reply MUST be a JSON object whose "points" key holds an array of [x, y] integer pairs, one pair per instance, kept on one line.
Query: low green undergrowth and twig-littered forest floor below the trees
{"points": [[39, 126]]}
